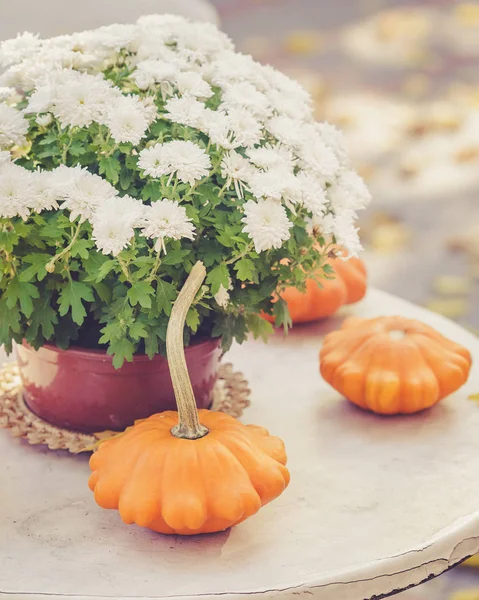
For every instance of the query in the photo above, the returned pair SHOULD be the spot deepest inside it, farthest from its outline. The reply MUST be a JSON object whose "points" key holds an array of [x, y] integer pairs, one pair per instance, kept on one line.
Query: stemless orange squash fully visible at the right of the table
{"points": [[393, 365]]}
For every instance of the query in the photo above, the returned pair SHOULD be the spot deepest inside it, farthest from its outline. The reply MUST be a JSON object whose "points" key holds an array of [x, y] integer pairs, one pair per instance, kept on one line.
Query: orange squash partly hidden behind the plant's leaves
{"points": [[348, 286]]}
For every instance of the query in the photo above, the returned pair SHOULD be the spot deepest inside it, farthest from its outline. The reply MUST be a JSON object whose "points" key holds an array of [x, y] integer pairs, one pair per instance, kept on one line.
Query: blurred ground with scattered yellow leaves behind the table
{"points": [[402, 80]]}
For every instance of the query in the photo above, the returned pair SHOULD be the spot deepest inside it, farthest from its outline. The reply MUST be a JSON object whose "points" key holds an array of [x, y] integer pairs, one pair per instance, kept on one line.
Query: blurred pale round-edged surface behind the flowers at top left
{"points": [[57, 17]]}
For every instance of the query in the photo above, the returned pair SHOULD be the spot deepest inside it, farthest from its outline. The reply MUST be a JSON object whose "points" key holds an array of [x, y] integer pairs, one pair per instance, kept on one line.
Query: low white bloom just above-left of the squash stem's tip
{"points": [[166, 219]]}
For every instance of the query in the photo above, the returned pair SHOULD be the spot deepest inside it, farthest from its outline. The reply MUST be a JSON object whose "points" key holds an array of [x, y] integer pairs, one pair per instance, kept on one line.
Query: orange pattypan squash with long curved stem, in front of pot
{"points": [[188, 472]]}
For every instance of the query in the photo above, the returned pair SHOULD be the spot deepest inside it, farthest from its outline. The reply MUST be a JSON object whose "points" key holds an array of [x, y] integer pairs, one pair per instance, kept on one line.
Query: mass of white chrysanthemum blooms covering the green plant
{"points": [[263, 128]]}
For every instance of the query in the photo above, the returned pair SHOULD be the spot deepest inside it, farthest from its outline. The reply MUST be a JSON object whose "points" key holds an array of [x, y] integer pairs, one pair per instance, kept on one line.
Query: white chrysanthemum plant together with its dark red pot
{"points": [[127, 154]]}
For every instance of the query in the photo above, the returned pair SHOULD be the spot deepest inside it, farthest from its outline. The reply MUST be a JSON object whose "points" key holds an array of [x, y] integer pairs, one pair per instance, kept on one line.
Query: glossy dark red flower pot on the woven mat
{"points": [[79, 389]]}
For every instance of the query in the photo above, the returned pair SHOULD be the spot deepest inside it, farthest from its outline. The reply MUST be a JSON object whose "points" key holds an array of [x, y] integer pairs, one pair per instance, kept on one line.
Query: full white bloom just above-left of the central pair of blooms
{"points": [[128, 120]]}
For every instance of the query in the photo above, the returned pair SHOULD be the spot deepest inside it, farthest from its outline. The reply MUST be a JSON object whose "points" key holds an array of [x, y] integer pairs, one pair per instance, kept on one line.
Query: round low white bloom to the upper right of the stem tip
{"points": [[266, 223]]}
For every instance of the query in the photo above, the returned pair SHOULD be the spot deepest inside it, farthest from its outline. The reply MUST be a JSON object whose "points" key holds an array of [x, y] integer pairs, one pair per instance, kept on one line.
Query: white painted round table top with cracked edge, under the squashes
{"points": [[374, 505]]}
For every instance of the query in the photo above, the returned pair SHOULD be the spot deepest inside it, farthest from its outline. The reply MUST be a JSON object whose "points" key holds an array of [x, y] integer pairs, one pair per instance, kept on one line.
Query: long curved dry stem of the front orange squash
{"points": [[189, 426]]}
